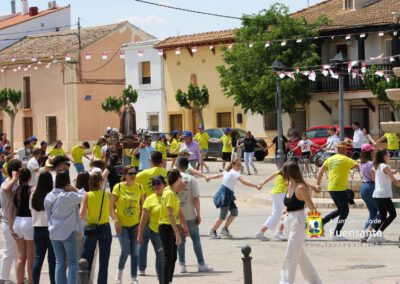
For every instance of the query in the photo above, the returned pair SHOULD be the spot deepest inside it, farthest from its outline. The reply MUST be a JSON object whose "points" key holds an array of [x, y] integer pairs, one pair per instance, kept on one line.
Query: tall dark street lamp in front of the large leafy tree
{"points": [[279, 66]]}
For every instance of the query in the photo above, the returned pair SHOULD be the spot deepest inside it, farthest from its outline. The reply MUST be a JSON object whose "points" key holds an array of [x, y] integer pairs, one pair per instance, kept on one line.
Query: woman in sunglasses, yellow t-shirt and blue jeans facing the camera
{"points": [[127, 197]]}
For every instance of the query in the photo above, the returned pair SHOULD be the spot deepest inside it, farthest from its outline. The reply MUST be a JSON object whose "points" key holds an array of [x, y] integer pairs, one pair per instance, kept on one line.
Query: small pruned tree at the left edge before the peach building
{"points": [[9, 101]]}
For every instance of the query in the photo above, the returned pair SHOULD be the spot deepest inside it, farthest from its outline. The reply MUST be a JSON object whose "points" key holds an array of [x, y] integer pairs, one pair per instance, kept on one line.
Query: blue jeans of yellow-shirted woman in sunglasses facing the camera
{"points": [[128, 243]]}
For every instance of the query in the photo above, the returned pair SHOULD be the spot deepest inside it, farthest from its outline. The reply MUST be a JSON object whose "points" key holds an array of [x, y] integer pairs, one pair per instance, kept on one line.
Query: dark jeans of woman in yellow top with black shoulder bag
{"points": [[89, 246]]}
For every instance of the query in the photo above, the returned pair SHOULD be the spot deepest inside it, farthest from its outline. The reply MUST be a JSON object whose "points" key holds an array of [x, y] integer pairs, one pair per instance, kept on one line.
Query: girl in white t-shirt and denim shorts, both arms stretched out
{"points": [[225, 197]]}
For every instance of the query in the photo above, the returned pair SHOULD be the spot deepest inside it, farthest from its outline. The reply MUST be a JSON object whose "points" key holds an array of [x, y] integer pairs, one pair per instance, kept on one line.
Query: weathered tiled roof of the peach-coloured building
{"points": [[55, 44]]}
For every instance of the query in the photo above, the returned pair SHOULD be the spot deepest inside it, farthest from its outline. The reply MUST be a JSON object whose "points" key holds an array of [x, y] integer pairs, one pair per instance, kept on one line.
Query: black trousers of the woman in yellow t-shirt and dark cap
{"points": [[170, 252]]}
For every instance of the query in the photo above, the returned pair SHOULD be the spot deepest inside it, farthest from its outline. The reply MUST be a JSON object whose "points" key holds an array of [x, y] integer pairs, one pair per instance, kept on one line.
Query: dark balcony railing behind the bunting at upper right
{"points": [[328, 84]]}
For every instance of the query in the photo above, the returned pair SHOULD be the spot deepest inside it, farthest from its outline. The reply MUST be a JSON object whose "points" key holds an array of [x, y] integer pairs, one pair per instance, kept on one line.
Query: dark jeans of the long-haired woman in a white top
{"points": [[43, 244]]}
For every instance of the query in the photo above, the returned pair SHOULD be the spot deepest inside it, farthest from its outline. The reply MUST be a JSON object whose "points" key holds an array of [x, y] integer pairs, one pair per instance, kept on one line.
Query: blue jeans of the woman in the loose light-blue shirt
{"points": [[64, 250]]}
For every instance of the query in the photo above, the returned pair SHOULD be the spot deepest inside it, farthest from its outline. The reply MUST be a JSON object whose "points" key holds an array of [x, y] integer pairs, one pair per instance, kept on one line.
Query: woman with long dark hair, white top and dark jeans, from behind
{"points": [[40, 228]]}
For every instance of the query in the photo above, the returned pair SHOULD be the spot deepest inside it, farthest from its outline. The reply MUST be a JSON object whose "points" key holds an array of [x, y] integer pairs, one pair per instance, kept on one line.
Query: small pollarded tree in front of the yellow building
{"points": [[195, 99]]}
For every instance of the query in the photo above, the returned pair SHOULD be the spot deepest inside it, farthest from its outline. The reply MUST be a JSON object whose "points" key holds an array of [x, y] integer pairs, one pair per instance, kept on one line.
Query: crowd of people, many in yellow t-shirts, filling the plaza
{"points": [[45, 211]]}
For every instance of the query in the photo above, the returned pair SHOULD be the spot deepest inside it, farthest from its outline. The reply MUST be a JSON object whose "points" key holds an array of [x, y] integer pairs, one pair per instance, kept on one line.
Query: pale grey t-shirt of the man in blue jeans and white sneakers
{"points": [[186, 196]]}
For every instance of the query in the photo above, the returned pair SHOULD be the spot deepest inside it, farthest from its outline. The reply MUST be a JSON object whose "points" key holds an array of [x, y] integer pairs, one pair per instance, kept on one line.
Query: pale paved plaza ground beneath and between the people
{"points": [[345, 262]]}
